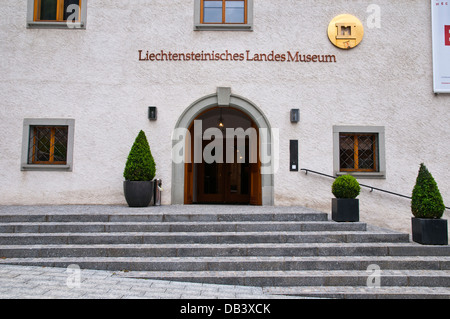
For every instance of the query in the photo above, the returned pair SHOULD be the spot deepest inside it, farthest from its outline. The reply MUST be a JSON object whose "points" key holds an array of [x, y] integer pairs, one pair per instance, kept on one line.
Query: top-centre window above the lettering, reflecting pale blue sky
{"points": [[223, 14]]}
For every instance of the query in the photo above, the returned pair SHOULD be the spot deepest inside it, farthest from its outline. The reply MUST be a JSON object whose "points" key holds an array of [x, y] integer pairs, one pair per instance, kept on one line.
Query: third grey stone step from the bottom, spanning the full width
{"points": [[201, 264]]}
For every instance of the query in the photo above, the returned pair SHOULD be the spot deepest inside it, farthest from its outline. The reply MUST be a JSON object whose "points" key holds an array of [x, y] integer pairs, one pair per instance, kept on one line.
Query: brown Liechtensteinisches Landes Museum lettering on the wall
{"points": [[216, 56]]}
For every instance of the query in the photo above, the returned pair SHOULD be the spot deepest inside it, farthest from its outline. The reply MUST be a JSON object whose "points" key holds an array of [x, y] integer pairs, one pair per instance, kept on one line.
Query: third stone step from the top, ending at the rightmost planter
{"points": [[200, 237]]}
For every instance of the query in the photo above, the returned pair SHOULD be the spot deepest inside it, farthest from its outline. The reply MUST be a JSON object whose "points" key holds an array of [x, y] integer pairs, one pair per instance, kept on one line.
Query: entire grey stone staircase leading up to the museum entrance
{"points": [[287, 250]]}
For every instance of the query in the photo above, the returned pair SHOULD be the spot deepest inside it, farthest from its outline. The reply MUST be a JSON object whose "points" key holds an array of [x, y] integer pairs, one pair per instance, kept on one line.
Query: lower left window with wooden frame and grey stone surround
{"points": [[47, 144]]}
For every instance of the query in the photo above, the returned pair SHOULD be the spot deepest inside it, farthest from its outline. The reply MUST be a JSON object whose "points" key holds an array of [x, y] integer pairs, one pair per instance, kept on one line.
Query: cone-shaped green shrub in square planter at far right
{"points": [[426, 200]]}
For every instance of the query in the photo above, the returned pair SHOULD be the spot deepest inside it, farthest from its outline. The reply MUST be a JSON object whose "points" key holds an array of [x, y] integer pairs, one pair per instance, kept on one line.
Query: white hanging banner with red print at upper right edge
{"points": [[441, 45]]}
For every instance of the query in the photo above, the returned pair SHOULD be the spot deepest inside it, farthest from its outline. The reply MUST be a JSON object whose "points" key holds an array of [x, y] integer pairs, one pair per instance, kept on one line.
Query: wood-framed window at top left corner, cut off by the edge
{"points": [[57, 13]]}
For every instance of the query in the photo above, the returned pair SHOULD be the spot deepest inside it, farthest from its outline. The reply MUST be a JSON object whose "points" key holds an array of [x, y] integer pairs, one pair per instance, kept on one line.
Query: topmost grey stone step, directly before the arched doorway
{"points": [[158, 214]]}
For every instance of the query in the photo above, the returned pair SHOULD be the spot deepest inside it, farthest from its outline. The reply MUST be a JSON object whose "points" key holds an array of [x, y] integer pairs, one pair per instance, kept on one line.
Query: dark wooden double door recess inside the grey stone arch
{"points": [[228, 170]]}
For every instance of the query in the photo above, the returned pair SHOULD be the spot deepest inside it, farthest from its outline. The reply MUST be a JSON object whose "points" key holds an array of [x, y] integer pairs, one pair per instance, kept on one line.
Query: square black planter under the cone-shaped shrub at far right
{"points": [[427, 231]]}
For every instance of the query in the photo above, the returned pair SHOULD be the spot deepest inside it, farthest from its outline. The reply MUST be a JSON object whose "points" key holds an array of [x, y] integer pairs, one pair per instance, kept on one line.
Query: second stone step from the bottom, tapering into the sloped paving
{"points": [[285, 280]]}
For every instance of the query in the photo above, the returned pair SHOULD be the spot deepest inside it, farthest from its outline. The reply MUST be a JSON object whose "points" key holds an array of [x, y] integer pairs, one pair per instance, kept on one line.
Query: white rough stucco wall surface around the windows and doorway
{"points": [[94, 77]]}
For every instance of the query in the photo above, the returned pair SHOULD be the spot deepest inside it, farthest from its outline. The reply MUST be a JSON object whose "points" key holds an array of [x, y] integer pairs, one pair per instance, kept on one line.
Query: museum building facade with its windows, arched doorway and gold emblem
{"points": [[78, 78]]}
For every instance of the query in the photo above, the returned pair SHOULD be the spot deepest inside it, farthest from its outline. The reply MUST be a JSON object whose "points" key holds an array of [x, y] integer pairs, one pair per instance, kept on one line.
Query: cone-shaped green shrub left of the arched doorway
{"points": [[140, 164]]}
